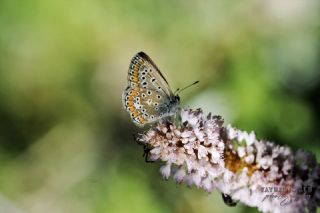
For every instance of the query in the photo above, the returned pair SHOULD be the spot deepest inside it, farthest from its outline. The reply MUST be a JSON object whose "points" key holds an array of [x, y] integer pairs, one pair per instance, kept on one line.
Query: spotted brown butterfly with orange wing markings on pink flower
{"points": [[148, 97]]}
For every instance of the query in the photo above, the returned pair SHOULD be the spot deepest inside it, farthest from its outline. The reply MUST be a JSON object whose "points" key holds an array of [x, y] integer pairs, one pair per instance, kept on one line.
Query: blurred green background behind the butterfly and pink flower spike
{"points": [[66, 143]]}
